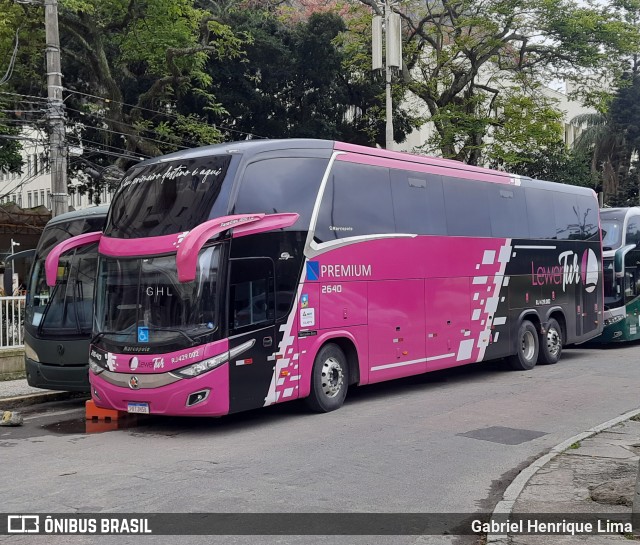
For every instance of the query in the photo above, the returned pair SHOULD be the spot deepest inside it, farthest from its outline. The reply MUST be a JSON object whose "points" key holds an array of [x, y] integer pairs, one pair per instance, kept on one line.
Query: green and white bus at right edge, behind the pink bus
{"points": [[621, 274]]}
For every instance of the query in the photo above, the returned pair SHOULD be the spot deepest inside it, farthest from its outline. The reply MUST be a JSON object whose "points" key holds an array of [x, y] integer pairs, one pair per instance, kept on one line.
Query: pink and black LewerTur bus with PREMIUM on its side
{"points": [[251, 273]]}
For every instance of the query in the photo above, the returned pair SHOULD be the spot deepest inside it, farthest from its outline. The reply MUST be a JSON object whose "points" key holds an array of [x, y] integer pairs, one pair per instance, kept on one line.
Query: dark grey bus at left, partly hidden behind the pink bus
{"points": [[58, 318]]}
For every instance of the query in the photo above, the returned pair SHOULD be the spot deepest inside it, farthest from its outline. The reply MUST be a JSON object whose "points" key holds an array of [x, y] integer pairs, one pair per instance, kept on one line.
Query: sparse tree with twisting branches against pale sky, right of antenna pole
{"points": [[462, 57]]}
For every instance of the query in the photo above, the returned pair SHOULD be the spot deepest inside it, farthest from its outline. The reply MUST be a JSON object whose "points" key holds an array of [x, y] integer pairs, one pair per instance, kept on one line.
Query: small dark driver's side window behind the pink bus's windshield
{"points": [[251, 295]]}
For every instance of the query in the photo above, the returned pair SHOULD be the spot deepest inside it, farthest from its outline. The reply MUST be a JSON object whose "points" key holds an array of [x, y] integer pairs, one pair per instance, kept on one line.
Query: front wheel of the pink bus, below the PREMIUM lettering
{"points": [[329, 380]]}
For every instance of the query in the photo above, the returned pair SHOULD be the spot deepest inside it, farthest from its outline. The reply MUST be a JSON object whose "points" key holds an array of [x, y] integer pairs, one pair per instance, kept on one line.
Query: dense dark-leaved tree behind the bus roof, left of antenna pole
{"points": [[301, 77]]}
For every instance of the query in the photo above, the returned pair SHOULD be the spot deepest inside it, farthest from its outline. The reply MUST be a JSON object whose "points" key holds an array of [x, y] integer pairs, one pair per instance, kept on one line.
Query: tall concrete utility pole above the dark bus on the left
{"points": [[57, 147]]}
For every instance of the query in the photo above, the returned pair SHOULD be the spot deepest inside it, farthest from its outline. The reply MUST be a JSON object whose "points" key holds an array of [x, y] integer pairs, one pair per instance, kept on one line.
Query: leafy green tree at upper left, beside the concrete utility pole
{"points": [[128, 65]]}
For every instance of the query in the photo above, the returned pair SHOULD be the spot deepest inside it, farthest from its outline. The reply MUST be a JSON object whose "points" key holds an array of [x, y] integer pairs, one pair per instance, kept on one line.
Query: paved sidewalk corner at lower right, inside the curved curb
{"points": [[592, 475]]}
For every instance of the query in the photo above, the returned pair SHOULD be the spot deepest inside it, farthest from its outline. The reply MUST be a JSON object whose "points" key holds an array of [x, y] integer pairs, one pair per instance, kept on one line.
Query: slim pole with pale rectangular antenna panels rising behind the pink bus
{"points": [[391, 25]]}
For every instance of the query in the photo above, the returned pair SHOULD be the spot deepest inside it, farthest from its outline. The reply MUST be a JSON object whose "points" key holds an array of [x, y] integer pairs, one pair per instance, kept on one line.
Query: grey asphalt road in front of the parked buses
{"points": [[446, 442]]}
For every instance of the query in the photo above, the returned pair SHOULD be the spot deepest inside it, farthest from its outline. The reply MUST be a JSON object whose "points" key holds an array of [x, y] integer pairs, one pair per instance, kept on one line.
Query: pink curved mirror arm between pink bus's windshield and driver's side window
{"points": [[242, 224]]}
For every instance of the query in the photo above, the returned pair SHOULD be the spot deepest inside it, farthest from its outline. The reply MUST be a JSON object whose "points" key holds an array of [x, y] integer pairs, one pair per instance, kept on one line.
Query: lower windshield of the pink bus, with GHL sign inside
{"points": [[142, 301]]}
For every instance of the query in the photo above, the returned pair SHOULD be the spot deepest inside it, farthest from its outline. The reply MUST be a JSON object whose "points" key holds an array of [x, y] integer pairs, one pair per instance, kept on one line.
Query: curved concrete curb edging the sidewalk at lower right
{"points": [[513, 491]]}
